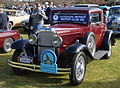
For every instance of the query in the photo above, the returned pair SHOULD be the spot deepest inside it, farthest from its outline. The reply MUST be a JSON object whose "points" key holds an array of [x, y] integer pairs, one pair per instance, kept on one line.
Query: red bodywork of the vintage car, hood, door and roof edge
{"points": [[70, 32]]}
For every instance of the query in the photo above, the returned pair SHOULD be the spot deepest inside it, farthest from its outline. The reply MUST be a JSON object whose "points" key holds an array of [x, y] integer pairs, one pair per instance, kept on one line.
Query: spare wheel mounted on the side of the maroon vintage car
{"points": [[90, 42]]}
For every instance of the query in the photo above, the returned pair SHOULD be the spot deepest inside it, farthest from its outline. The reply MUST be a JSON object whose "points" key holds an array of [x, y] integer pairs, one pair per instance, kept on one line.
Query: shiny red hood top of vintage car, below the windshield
{"points": [[65, 29]]}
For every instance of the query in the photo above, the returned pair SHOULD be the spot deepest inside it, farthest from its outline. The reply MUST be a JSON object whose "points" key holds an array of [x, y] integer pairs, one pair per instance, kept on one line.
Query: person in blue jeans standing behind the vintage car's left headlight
{"points": [[38, 17]]}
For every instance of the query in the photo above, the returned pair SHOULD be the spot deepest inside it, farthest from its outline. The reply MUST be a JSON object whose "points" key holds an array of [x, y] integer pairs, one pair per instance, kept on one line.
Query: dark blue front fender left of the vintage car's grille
{"points": [[19, 44]]}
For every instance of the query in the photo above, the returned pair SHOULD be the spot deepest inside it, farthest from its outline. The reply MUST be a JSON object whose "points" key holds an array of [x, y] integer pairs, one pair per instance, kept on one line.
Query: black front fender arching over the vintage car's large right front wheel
{"points": [[66, 56]]}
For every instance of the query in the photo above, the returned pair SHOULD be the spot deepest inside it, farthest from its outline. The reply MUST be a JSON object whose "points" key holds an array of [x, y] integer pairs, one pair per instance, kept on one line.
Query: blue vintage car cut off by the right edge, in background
{"points": [[114, 18]]}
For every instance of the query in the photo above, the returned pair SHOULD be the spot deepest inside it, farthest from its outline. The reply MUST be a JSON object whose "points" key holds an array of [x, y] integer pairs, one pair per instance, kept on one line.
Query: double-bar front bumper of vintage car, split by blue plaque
{"points": [[35, 68]]}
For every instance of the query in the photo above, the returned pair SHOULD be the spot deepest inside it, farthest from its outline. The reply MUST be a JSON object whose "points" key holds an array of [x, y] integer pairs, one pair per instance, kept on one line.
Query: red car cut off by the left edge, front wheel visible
{"points": [[7, 38]]}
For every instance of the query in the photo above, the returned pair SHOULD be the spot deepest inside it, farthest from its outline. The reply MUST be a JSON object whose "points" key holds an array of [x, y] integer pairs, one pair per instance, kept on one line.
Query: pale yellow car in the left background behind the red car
{"points": [[16, 17]]}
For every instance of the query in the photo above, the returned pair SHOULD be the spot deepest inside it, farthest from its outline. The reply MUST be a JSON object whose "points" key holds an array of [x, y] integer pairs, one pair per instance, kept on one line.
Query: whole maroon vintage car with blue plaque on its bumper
{"points": [[76, 36]]}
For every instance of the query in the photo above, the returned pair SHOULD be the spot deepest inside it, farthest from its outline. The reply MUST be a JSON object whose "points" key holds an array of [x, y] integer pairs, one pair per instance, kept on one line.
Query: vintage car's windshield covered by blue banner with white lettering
{"points": [[80, 18]]}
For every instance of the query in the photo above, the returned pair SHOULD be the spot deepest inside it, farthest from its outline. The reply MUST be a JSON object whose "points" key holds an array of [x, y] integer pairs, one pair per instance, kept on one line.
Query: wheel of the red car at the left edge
{"points": [[7, 45]]}
